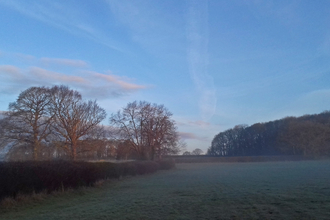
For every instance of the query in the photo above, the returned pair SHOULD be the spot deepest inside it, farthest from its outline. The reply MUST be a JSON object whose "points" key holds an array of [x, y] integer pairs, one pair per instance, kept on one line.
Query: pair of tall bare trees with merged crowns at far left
{"points": [[43, 118]]}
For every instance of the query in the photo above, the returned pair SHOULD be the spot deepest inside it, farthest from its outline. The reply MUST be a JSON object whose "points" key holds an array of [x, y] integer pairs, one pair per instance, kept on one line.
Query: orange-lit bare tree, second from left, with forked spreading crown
{"points": [[73, 118]]}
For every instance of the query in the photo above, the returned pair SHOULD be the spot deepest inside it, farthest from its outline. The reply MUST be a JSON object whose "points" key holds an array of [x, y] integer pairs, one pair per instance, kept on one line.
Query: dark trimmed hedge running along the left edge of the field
{"points": [[28, 177]]}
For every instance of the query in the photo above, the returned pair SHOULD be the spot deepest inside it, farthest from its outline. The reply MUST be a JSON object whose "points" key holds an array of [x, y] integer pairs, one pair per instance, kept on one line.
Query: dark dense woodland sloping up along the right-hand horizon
{"points": [[306, 135]]}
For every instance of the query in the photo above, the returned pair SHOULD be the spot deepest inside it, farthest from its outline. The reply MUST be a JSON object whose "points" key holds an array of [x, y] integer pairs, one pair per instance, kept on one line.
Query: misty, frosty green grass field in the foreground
{"points": [[266, 190]]}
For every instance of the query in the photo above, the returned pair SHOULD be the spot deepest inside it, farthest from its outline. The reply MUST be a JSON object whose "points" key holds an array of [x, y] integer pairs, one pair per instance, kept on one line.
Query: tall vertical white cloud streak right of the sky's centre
{"points": [[197, 35]]}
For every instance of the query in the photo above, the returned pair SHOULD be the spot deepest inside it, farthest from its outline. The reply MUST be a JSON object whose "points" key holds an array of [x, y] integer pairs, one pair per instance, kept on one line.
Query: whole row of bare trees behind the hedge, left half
{"points": [[47, 123]]}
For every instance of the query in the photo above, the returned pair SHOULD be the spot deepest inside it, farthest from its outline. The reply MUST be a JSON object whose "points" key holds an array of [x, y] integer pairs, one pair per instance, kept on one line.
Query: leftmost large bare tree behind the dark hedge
{"points": [[27, 123]]}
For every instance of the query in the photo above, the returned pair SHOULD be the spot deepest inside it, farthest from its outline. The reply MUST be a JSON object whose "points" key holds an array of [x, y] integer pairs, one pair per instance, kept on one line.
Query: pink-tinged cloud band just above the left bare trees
{"points": [[91, 84]]}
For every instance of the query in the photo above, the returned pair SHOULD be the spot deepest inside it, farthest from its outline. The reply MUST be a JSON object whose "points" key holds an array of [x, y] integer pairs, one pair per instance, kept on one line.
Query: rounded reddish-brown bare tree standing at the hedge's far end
{"points": [[148, 128]]}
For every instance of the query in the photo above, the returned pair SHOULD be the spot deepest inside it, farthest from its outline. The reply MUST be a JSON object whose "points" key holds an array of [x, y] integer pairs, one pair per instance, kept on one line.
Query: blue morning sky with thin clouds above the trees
{"points": [[214, 64]]}
